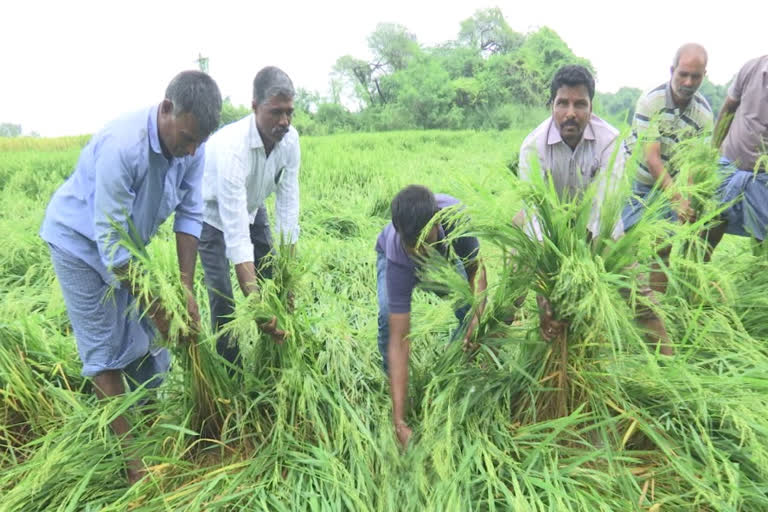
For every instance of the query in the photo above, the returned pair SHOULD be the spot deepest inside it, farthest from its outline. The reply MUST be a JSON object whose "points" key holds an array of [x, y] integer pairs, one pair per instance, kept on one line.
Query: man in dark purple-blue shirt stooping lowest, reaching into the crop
{"points": [[398, 250]]}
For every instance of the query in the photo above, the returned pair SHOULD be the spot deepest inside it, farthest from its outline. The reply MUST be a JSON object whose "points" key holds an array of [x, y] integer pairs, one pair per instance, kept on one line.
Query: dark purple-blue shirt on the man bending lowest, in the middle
{"points": [[401, 269]]}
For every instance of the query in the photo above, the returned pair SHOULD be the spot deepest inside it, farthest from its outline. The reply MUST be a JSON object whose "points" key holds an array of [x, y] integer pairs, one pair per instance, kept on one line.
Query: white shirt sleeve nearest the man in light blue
{"points": [[233, 209]]}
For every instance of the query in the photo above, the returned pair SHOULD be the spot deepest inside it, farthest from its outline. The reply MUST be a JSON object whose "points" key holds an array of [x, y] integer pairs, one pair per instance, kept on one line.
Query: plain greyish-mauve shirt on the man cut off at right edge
{"points": [[747, 138]]}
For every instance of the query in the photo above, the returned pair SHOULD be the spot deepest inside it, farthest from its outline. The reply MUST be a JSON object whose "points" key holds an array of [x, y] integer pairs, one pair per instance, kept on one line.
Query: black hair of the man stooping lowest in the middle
{"points": [[412, 208]]}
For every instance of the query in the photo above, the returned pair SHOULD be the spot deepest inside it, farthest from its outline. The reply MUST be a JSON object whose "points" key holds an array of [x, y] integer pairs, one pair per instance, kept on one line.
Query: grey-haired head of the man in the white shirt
{"points": [[272, 104]]}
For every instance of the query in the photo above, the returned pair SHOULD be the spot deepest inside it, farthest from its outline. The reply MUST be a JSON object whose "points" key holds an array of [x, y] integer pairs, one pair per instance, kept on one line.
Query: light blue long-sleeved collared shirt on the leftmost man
{"points": [[122, 174]]}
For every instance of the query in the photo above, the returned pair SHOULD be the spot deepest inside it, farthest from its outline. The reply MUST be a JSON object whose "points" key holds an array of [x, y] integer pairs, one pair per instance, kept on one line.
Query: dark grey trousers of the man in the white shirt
{"points": [[218, 281]]}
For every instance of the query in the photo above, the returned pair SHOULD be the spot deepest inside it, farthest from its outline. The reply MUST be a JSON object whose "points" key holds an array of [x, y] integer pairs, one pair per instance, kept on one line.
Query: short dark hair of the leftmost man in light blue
{"points": [[196, 93]]}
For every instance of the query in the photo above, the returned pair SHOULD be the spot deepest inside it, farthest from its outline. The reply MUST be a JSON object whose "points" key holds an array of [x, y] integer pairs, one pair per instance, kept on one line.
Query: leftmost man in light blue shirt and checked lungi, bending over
{"points": [[137, 170]]}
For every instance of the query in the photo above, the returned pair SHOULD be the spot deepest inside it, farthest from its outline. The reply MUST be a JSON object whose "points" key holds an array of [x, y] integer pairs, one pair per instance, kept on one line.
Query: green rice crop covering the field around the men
{"points": [[308, 427]]}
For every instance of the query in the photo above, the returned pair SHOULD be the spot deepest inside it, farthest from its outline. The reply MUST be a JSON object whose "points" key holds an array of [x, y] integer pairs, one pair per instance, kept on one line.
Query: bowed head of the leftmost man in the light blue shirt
{"points": [[189, 113]]}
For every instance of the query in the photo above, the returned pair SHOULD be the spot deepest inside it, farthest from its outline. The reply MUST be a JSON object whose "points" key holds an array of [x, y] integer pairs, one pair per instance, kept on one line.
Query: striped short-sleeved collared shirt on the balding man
{"points": [[658, 119]]}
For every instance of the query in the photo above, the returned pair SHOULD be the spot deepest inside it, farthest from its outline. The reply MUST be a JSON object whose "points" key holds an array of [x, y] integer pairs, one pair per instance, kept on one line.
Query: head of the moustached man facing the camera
{"points": [[570, 95]]}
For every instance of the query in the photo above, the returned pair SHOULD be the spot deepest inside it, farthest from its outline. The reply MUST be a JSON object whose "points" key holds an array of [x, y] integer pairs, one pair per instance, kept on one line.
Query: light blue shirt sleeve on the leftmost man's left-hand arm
{"points": [[113, 199]]}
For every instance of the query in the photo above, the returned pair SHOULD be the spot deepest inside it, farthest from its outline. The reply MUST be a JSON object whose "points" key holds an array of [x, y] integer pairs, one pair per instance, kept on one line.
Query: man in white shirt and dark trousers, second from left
{"points": [[245, 162]]}
